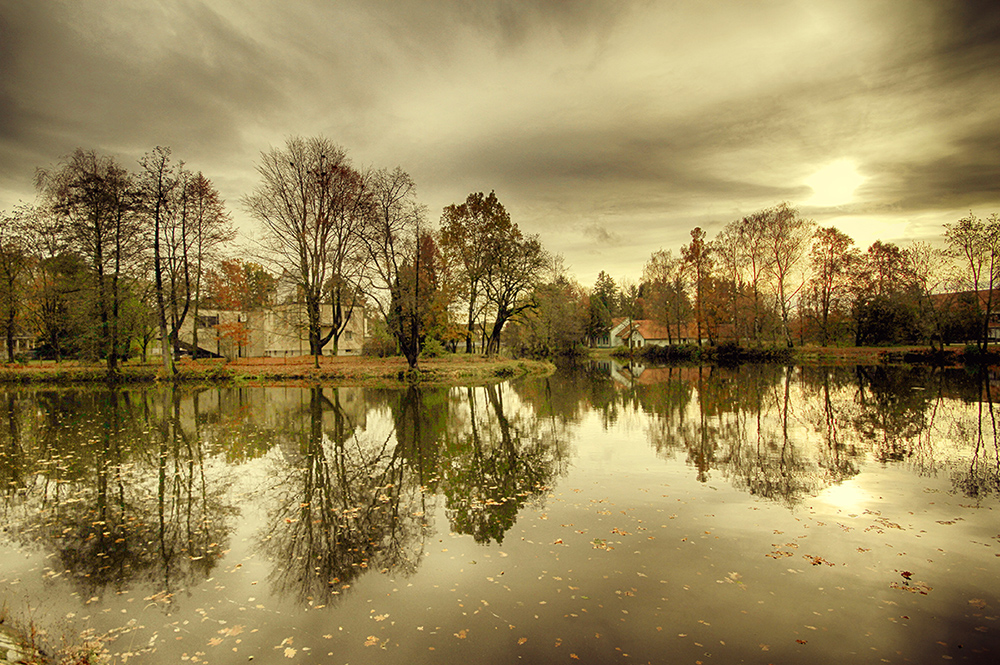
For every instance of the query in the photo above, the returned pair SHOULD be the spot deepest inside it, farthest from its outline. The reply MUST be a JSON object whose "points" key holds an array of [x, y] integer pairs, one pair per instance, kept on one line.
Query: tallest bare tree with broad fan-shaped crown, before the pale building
{"points": [[313, 205]]}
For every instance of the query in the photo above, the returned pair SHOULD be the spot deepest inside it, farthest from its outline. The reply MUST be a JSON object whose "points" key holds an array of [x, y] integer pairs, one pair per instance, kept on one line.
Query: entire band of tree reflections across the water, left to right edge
{"points": [[143, 486]]}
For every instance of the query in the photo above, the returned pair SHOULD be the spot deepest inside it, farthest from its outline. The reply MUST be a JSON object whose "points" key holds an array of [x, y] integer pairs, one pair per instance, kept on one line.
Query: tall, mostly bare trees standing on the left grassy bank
{"points": [[108, 259]]}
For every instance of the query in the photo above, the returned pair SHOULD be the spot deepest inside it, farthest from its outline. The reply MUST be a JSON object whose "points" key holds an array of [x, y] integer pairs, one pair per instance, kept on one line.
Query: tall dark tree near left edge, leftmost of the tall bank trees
{"points": [[97, 201]]}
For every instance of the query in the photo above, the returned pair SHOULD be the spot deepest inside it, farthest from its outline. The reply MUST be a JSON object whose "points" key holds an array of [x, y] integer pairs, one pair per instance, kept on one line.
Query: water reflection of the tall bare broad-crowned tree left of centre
{"points": [[345, 503]]}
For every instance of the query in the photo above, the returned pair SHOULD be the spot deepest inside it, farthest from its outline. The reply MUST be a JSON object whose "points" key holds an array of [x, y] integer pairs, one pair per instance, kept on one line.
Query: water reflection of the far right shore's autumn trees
{"points": [[785, 433]]}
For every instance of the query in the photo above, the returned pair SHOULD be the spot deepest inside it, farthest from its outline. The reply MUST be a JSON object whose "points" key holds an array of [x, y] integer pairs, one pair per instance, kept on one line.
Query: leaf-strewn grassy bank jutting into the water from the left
{"points": [[454, 369]]}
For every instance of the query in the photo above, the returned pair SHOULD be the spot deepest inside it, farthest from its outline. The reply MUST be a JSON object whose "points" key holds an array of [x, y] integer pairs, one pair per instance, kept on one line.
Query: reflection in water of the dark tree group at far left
{"points": [[113, 483]]}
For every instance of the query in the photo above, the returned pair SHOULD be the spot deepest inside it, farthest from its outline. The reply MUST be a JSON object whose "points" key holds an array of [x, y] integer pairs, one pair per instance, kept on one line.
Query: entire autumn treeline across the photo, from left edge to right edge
{"points": [[109, 260]]}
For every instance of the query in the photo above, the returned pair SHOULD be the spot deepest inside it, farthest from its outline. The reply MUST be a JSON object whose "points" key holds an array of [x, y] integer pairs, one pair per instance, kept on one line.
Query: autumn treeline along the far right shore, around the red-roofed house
{"points": [[775, 279]]}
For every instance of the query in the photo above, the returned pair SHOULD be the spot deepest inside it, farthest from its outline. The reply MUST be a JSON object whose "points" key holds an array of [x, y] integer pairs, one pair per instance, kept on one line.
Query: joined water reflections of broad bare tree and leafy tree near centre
{"points": [[349, 499]]}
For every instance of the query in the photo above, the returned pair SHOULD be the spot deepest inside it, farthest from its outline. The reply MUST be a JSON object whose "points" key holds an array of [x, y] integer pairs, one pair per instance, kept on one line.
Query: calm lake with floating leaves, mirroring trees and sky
{"points": [[605, 514]]}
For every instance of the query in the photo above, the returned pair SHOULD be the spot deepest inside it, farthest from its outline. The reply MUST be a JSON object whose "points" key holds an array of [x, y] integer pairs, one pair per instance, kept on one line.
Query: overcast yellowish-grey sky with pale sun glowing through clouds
{"points": [[609, 128]]}
